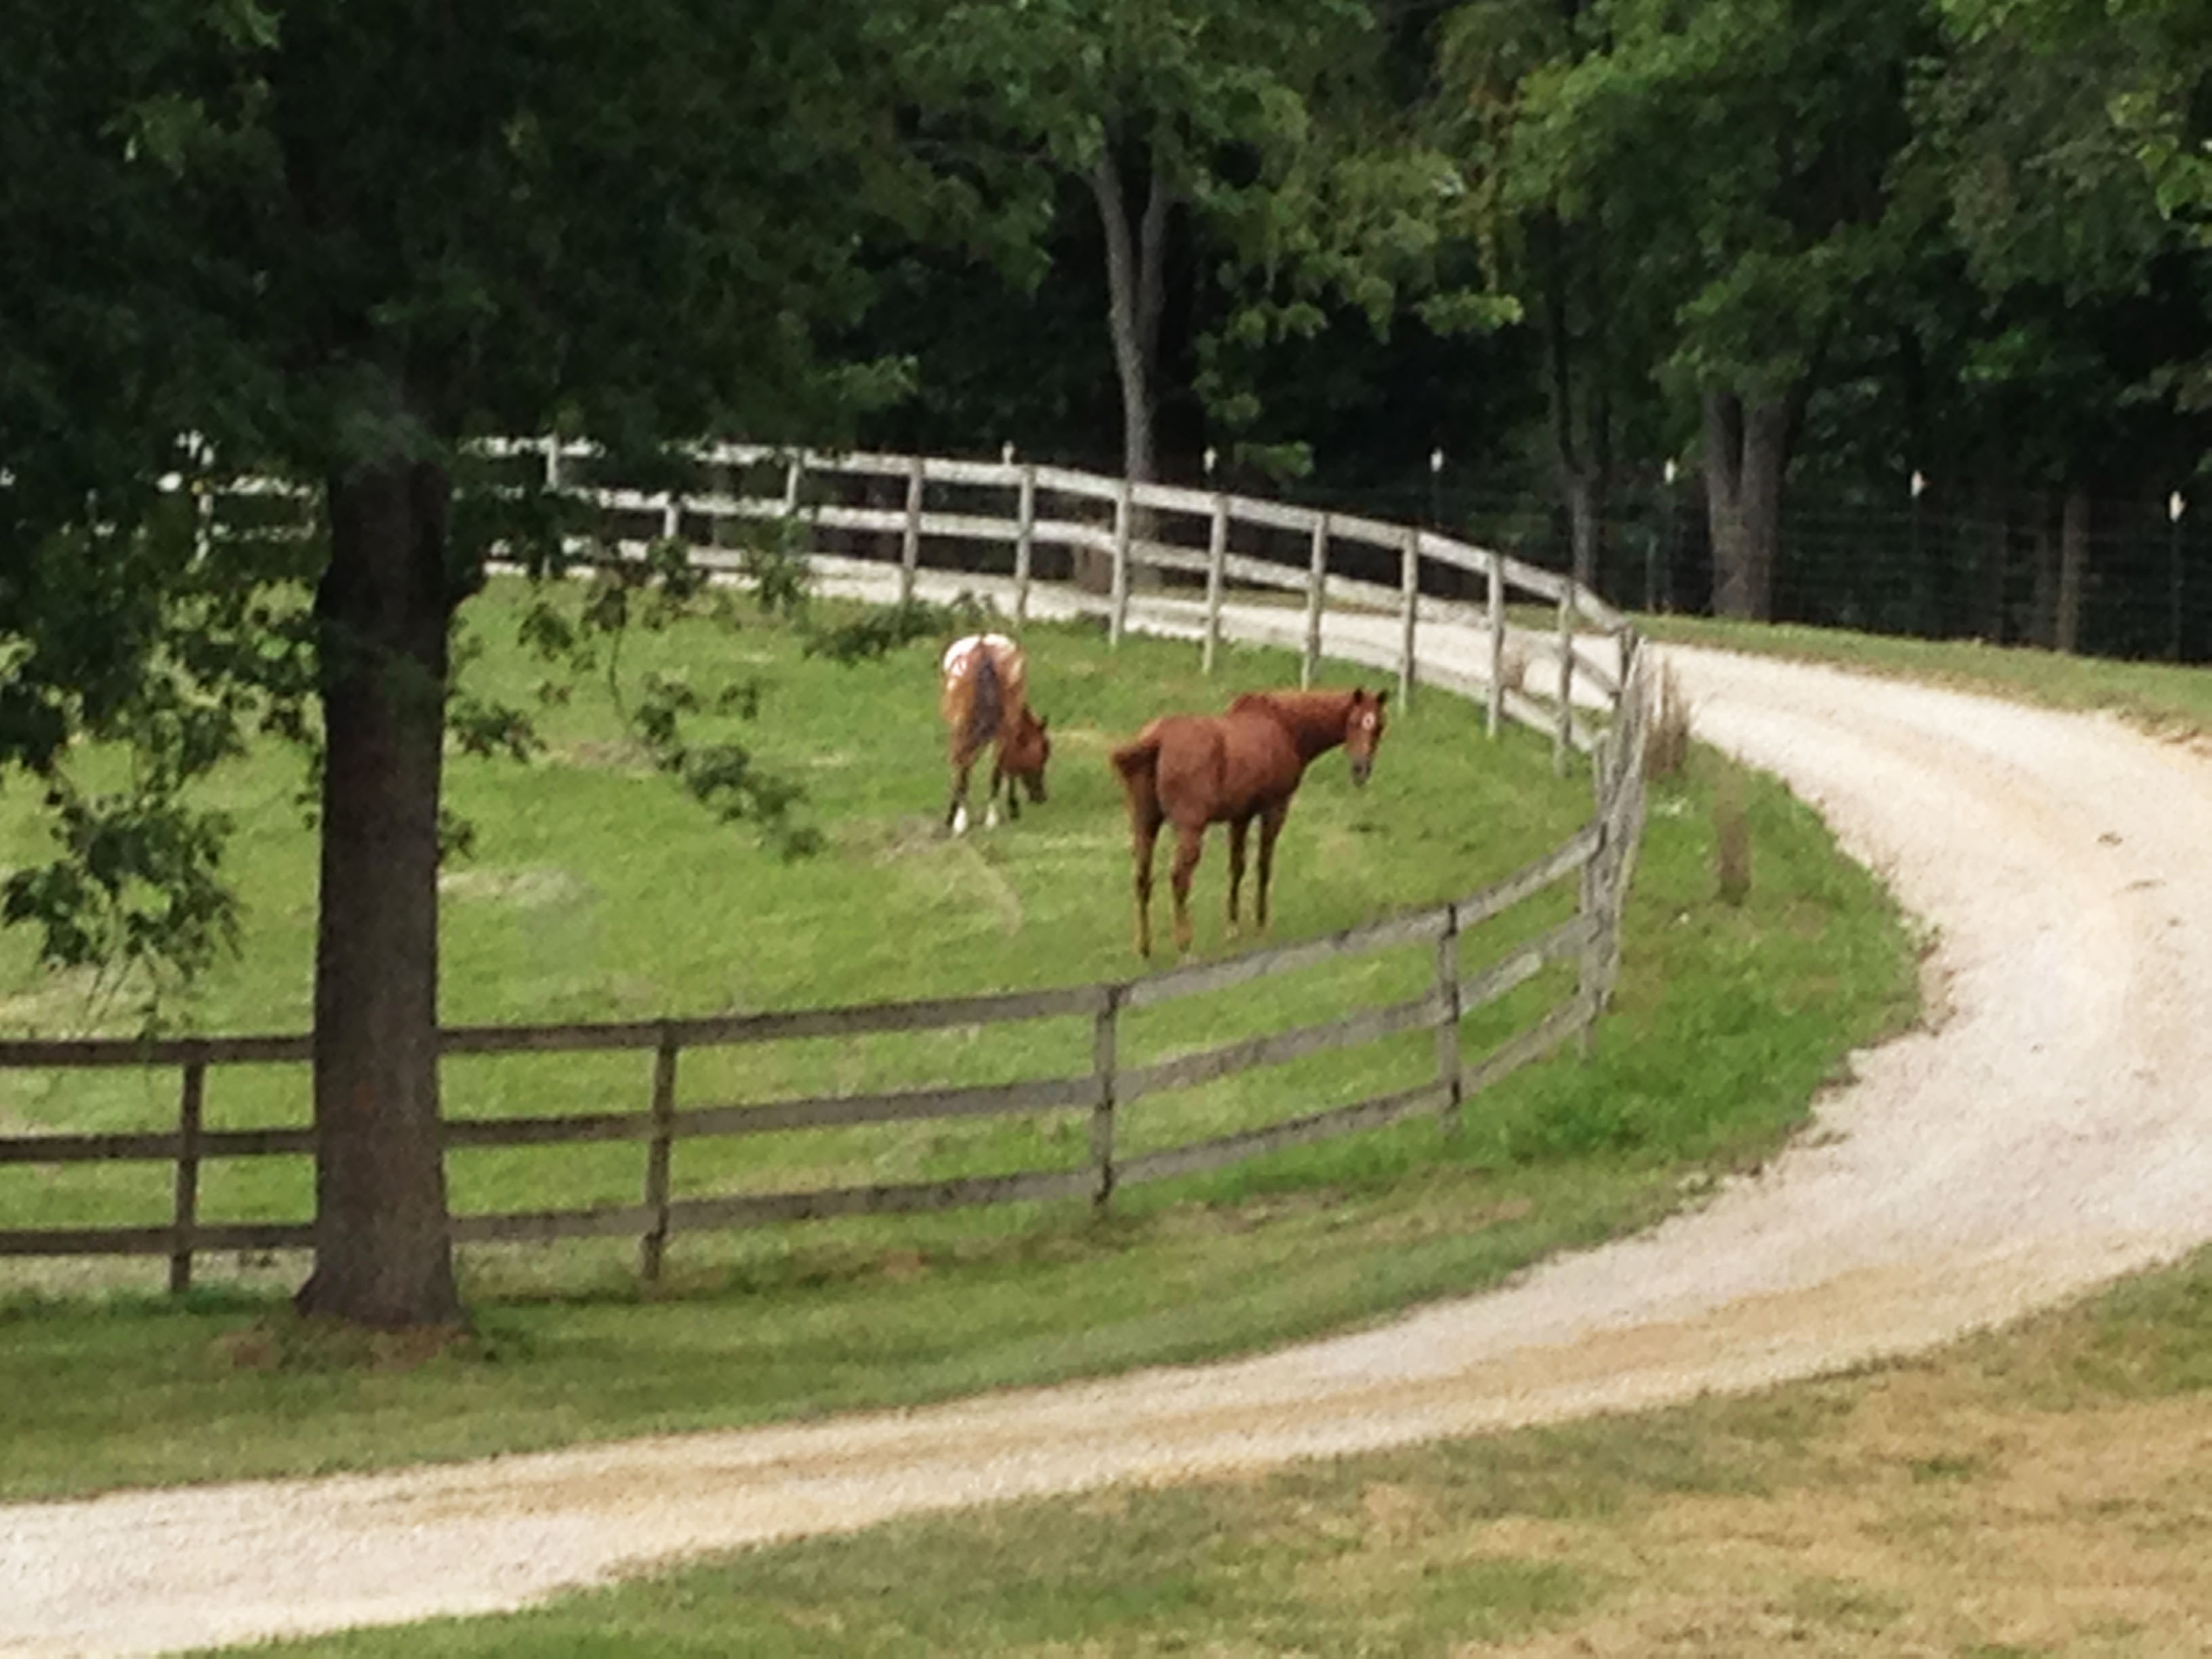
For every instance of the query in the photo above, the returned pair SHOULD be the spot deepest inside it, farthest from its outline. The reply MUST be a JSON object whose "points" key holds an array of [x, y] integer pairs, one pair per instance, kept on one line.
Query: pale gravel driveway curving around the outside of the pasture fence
{"points": [[2049, 1131]]}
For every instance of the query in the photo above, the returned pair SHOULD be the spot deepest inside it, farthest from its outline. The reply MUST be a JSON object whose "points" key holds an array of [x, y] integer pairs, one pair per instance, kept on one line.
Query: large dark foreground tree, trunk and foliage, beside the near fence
{"points": [[359, 233]]}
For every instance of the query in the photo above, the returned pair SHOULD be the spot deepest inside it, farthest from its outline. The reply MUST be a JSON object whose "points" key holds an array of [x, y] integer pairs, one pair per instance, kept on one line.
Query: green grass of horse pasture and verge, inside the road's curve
{"points": [[596, 893]]}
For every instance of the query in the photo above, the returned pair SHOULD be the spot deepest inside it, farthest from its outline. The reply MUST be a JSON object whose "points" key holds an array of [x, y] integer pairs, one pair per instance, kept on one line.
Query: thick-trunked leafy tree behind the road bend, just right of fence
{"points": [[1744, 147]]}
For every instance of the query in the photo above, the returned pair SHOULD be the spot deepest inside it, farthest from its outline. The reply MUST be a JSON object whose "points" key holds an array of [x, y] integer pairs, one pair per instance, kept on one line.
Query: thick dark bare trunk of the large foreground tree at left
{"points": [[382, 1240]]}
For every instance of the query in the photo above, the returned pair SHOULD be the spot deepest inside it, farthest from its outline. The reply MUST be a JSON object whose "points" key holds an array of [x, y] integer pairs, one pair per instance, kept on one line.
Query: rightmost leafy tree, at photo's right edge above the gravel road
{"points": [[2065, 145]]}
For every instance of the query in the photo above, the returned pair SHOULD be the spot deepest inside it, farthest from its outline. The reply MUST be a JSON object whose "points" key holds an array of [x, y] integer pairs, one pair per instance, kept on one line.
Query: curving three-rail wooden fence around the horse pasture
{"points": [[1149, 539]]}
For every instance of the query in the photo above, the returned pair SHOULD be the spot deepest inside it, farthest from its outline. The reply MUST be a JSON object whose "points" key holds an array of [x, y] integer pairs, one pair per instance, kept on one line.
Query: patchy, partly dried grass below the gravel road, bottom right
{"points": [[2032, 1492]]}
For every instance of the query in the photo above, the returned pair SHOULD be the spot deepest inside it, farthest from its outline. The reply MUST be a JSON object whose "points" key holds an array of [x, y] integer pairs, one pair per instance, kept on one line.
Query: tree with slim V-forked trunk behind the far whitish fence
{"points": [[1222, 118]]}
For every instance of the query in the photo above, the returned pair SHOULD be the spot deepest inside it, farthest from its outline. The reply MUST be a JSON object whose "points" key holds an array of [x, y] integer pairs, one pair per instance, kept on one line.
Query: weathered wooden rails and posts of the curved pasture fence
{"points": [[1600, 855]]}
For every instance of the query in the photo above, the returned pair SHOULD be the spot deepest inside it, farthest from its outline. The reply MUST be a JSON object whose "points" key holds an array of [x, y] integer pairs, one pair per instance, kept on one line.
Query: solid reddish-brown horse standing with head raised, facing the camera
{"points": [[1193, 771]]}
